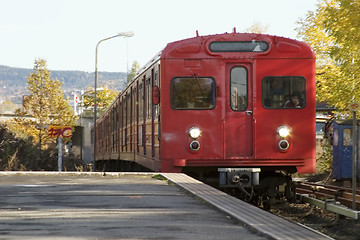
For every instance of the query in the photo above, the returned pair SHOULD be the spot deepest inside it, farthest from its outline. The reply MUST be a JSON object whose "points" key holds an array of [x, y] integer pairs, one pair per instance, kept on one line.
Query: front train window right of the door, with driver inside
{"points": [[284, 92]]}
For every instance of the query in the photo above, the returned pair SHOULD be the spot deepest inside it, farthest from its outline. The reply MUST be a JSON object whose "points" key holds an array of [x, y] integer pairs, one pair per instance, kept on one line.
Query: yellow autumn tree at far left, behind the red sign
{"points": [[46, 106]]}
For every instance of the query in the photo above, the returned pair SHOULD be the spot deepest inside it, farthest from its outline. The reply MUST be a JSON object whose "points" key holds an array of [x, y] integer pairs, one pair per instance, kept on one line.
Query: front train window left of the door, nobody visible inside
{"points": [[192, 93]]}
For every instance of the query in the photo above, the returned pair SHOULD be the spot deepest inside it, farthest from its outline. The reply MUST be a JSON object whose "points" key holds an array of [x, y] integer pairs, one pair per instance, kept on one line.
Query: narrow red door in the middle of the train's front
{"points": [[238, 127]]}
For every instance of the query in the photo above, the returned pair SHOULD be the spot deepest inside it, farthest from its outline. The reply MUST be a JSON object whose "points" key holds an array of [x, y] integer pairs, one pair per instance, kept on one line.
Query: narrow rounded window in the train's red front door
{"points": [[238, 79]]}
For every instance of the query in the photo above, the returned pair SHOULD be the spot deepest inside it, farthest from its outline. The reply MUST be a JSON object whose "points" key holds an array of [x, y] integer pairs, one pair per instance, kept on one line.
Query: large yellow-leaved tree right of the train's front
{"points": [[332, 31]]}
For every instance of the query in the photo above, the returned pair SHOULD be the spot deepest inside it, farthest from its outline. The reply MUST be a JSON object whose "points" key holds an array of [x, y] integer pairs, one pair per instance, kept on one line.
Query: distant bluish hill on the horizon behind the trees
{"points": [[13, 82]]}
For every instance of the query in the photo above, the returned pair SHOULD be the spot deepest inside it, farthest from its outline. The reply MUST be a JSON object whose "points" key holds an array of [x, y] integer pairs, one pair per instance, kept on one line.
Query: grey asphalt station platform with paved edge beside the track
{"points": [[66, 205]]}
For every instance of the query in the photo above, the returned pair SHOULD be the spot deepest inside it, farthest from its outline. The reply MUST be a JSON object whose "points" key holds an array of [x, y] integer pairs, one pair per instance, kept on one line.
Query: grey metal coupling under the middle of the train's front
{"points": [[238, 177]]}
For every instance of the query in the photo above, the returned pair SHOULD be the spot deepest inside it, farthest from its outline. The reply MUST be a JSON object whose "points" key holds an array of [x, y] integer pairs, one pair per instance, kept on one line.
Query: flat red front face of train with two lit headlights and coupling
{"points": [[241, 104]]}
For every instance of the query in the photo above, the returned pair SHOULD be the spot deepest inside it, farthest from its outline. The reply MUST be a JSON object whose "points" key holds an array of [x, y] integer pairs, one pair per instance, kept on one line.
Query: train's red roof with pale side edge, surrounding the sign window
{"points": [[191, 47]]}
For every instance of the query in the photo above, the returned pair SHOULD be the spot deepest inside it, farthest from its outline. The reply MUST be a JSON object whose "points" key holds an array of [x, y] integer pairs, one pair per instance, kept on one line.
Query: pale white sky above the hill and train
{"points": [[65, 32]]}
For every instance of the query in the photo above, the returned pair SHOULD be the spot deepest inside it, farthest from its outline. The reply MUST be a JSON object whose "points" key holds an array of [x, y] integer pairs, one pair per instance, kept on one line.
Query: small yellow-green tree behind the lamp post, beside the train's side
{"points": [[104, 98]]}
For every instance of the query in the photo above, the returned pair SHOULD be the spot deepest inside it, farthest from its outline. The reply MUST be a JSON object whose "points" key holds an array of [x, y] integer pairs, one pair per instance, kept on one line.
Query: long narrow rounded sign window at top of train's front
{"points": [[236, 46]]}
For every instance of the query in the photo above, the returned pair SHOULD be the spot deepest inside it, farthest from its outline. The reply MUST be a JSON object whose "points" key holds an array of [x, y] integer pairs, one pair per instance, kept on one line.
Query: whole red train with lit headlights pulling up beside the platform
{"points": [[239, 104]]}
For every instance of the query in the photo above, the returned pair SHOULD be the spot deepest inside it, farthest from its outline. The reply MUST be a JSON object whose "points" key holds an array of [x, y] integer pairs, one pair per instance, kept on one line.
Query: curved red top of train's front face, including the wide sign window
{"points": [[248, 44]]}
